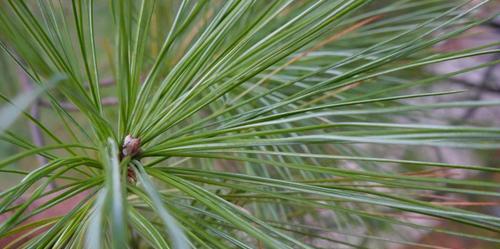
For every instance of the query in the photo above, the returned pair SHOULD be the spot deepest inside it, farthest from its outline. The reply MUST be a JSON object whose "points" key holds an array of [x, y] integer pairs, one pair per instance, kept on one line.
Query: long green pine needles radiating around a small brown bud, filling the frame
{"points": [[253, 123]]}
